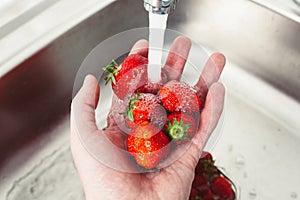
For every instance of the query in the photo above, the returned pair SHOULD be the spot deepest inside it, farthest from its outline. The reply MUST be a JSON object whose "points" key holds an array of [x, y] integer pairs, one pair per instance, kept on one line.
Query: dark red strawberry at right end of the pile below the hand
{"points": [[222, 187]]}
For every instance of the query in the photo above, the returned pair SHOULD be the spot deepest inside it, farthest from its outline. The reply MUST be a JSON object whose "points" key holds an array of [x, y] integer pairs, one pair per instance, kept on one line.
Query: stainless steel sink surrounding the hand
{"points": [[260, 139]]}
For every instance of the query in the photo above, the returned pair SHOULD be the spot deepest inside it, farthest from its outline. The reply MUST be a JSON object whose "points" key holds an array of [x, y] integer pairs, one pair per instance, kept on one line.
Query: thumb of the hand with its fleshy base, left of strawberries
{"points": [[103, 146]]}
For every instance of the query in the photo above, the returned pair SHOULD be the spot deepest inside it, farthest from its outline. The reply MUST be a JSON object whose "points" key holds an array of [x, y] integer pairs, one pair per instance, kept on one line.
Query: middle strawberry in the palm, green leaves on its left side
{"points": [[145, 107]]}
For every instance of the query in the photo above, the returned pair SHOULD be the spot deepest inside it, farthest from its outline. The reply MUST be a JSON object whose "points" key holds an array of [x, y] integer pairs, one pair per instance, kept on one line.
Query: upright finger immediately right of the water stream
{"points": [[177, 58]]}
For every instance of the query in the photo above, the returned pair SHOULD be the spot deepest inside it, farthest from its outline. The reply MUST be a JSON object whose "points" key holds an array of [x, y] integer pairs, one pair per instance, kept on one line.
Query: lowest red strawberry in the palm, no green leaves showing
{"points": [[148, 145]]}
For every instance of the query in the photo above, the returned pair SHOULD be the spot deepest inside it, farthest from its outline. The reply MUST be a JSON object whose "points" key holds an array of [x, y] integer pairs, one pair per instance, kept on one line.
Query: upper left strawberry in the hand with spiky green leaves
{"points": [[129, 77]]}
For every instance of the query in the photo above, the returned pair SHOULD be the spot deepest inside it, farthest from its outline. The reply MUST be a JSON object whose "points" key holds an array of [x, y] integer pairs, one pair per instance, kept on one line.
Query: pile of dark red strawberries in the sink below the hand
{"points": [[210, 183]]}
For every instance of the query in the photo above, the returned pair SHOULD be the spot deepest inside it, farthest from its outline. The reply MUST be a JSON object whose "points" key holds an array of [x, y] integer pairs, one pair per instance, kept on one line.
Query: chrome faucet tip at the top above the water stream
{"points": [[160, 6]]}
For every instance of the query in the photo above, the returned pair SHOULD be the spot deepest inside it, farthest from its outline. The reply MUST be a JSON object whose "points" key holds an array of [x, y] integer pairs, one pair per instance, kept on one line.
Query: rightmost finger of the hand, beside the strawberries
{"points": [[208, 121]]}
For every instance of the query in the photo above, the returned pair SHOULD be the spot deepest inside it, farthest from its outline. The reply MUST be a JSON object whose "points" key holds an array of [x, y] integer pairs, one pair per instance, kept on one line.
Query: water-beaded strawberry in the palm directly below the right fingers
{"points": [[179, 96]]}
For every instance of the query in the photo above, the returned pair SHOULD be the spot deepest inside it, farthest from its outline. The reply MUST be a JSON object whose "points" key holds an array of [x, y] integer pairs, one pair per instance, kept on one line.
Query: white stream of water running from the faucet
{"points": [[157, 27]]}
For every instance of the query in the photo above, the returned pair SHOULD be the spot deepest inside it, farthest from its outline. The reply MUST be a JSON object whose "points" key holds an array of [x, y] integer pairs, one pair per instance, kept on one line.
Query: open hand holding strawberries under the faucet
{"points": [[171, 182]]}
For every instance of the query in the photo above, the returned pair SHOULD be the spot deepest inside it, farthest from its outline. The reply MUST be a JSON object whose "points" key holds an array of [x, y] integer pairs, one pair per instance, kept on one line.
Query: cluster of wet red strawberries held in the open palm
{"points": [[156, 114]]}
